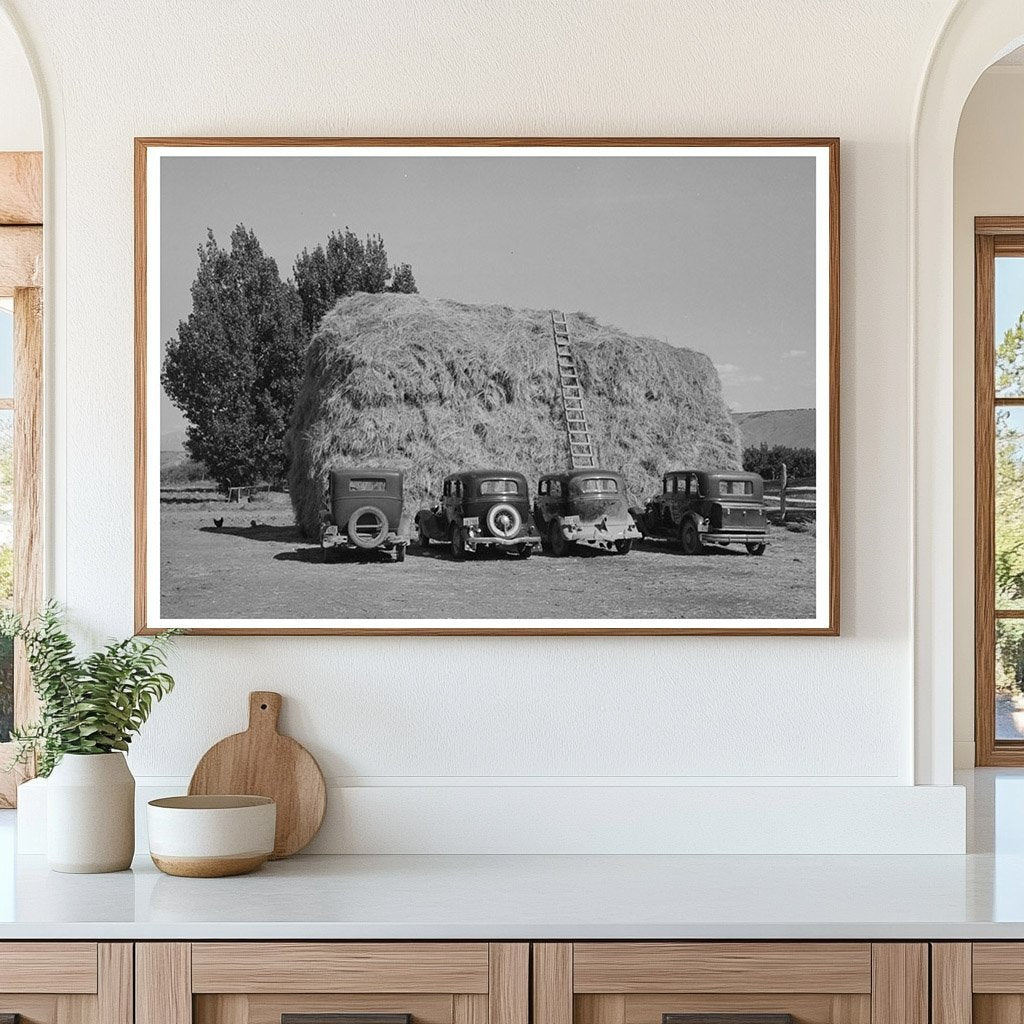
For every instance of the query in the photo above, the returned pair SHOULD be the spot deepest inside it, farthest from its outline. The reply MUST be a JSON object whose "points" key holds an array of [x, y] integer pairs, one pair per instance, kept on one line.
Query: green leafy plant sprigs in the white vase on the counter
{"points": [[93, 705]]}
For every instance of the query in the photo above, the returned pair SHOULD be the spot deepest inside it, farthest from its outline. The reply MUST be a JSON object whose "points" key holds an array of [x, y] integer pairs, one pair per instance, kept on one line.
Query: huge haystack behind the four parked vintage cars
{"points": [[433, 387]]}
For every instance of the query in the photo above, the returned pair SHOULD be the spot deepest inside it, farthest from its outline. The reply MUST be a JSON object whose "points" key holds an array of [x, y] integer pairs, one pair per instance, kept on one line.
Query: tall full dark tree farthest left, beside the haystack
{"points": [[236, 365]]}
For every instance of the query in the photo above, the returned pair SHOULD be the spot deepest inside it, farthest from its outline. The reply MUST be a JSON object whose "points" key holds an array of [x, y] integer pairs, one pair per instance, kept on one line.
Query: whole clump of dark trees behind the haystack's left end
{"points": [[236, 367]]}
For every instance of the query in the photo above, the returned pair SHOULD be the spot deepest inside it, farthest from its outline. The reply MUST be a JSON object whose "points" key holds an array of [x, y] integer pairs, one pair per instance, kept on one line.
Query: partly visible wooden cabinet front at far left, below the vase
{"points": [[66, 983]]}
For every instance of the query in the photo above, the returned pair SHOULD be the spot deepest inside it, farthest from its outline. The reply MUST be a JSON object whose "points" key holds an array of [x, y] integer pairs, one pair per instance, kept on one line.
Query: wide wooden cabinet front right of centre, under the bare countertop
{"points": [[731, 984]]}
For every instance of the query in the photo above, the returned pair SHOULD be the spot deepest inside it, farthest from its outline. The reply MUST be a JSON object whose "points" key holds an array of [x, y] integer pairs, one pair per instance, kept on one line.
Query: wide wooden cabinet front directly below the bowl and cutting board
{"points": [[333, 984]]}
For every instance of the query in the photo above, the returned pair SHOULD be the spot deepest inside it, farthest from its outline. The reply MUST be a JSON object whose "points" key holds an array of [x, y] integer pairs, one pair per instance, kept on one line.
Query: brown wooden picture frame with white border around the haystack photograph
{"points": [[151, 156]]}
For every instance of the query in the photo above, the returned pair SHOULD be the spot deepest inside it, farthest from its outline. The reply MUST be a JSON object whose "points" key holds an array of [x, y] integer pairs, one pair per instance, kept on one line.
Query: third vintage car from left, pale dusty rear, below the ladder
{"points": [[587, 507]]}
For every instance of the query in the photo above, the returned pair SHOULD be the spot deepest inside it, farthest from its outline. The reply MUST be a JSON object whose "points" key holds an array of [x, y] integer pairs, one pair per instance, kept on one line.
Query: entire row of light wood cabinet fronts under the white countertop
{"points": [[513, 983]]}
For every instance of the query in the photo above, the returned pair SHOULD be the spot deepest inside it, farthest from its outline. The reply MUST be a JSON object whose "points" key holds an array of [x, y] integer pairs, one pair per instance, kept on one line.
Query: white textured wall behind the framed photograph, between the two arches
{"points": [[431, 717]]}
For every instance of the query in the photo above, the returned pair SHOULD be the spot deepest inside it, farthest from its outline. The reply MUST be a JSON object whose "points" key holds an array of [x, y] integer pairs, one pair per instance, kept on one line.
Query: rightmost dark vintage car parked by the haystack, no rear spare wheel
{"points": [[699, 508]]}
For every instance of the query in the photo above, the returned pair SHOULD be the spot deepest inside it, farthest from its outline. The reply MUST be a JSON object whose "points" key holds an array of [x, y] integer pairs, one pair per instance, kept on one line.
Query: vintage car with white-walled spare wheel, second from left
{"points": [[481, 508]]}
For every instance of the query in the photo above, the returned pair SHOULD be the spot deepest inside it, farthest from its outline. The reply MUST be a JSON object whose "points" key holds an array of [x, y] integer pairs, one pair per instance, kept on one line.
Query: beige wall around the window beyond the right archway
{"points": [[988, 182]]}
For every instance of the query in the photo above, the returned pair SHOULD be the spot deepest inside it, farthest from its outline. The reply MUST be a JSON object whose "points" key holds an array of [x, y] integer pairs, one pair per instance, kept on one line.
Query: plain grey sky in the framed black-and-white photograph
{"points": [[711, 253]]}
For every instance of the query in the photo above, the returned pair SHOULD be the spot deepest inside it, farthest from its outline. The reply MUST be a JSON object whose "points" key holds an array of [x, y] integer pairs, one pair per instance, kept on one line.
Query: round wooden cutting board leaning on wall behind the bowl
{"points": [[261, 762]]}
